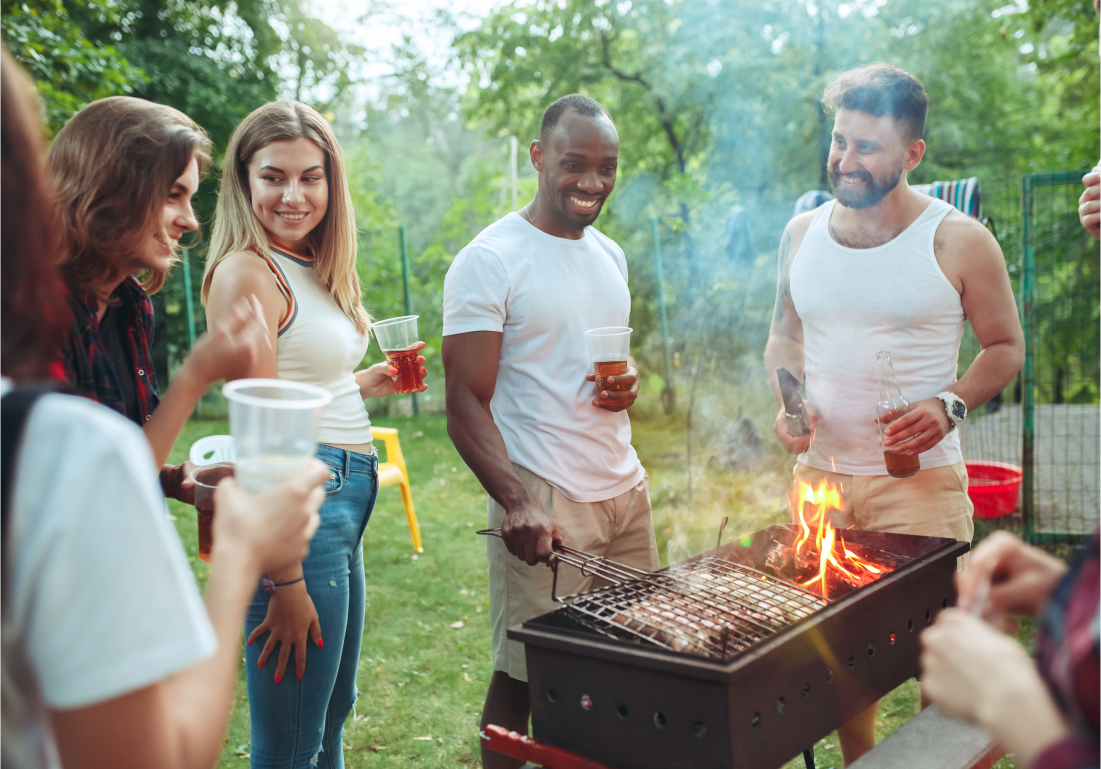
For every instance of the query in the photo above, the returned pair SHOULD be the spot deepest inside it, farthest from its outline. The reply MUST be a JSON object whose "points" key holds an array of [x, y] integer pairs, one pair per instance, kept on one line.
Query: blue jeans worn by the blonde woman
{"points": [[300, 724]]}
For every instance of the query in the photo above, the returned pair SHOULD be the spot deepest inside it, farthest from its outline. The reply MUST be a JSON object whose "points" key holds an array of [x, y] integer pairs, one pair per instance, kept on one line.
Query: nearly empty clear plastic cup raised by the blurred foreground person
{"points": [[275, 428]]}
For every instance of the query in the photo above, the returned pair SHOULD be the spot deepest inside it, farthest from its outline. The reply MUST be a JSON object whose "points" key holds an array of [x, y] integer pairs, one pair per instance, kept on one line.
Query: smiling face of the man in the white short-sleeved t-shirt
{"points": [[577, 167]]}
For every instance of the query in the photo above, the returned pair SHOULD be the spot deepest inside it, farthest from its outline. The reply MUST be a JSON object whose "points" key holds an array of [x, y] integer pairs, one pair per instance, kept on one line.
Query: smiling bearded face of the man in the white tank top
{"points": [[868, 158]]}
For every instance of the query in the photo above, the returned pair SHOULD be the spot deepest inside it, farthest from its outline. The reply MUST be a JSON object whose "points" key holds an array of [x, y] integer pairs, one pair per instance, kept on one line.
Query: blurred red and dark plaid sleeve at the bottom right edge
{"points": [[1067, 656]]}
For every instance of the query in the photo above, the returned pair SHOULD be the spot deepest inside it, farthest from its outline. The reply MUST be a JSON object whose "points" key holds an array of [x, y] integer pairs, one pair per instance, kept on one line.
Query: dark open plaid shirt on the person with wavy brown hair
{"points": [[84, 358]]}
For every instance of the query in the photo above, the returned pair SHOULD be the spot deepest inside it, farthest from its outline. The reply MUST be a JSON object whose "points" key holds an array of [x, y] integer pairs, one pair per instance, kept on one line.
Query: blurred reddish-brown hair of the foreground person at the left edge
{"points": [[34, 313]]}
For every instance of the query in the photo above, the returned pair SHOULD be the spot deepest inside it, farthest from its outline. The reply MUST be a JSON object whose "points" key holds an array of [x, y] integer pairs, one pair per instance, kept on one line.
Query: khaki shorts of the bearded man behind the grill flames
{"points": [[933, 503]]}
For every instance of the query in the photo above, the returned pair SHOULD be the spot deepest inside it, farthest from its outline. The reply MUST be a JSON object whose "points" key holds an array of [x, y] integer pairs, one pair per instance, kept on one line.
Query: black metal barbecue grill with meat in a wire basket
{"points": [[715, 664]]}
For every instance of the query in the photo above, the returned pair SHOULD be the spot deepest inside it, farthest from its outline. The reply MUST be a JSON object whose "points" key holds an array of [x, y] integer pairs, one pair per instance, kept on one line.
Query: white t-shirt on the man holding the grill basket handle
{"points": [[543, 294]]}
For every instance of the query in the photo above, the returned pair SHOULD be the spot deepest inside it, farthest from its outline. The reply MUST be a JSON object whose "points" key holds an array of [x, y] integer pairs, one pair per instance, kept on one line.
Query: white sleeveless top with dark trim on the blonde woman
{"points": [[320, 345]]}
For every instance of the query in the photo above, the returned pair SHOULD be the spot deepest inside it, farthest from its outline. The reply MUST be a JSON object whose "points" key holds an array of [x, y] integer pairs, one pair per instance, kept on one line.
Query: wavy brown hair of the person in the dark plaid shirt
{"points": [[114, 166]]}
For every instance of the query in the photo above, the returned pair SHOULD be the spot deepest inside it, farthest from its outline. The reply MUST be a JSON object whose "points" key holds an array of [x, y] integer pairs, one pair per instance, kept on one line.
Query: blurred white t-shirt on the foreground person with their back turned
{"points": [[100, 600]]}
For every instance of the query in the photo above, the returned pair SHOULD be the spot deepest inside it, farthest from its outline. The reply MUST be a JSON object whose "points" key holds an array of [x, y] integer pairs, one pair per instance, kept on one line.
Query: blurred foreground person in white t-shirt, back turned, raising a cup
{"points": [[110, 658]]}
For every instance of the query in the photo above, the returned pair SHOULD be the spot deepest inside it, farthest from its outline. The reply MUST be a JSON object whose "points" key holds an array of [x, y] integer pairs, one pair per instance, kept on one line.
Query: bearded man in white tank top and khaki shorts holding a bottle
{"points": [[886, 268]]}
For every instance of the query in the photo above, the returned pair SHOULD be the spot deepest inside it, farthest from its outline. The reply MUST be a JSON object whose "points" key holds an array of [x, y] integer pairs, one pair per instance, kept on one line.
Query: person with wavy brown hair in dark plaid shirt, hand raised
{"points": [[124, 172]]}
